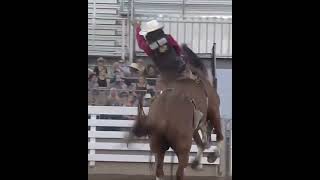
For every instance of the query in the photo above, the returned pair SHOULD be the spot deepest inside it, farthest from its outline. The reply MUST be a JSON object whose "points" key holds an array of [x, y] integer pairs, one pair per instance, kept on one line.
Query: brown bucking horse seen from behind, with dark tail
{"points": [[179, 114]]}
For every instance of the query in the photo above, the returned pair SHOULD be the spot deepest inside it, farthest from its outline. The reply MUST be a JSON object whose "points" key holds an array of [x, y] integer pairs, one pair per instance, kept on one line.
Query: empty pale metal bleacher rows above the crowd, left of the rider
{"points": [[107, 31]]}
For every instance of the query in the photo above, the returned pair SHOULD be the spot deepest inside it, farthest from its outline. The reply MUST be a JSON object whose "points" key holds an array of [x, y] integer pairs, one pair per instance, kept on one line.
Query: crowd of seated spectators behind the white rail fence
{"points": [[121, 84]]}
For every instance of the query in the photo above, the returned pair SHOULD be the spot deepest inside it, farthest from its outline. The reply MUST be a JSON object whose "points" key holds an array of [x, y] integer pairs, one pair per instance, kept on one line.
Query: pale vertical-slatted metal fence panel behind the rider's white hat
{"points": [[199, 34]]}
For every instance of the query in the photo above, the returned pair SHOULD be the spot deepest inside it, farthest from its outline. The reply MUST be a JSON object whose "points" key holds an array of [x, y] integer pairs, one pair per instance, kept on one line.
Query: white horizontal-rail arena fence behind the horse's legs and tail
{"points": [[113, 147]]}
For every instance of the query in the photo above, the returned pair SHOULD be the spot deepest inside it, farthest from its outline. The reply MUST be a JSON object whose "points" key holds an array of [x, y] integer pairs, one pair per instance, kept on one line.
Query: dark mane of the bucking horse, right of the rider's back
{"points": [[193, 59]]}
